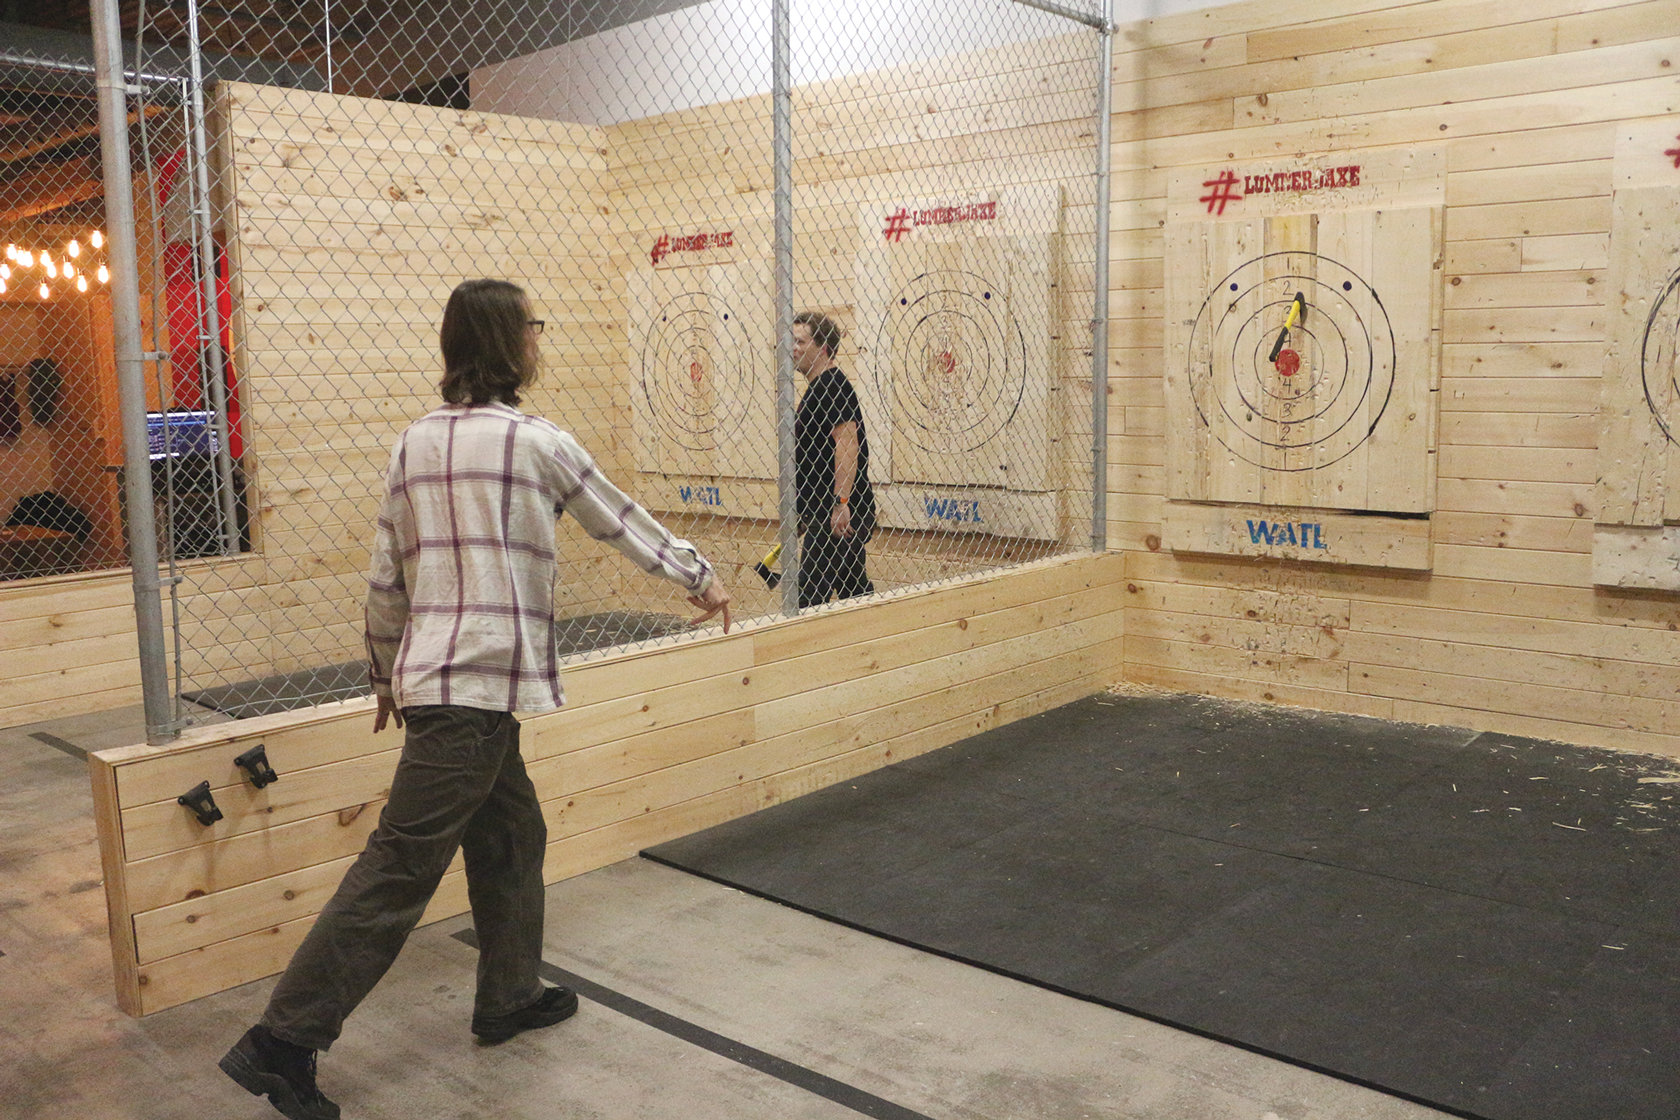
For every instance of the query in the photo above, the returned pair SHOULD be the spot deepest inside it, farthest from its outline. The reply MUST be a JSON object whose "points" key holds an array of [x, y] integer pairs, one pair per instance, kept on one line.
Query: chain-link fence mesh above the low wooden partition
{"points": [[315, 179]]}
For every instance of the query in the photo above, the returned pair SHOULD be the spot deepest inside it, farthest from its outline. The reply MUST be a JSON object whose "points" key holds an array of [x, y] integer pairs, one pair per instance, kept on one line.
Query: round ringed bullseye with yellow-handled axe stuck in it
{"points": [[1293, 397]]}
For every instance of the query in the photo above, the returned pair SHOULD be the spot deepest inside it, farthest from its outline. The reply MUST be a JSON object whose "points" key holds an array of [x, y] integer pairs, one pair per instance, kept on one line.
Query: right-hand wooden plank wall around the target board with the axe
{"points": [[1508, 632]]}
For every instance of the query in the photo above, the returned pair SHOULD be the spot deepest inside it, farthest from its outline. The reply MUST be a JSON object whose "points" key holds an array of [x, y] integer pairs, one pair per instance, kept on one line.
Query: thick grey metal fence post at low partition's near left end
{"points": [[130, 362]]}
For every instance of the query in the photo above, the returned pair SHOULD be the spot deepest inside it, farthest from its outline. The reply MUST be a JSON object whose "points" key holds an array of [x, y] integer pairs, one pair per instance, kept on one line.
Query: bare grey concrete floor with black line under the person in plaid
{"points": [[851, 1018]]}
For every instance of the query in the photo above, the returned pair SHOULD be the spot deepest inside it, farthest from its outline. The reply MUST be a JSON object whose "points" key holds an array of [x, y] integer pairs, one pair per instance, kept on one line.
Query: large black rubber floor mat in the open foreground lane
{"points": [[1484, 924]]}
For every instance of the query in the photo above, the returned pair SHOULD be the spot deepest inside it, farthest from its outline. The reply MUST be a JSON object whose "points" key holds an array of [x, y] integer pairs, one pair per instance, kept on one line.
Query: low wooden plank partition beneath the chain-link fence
{"points": [[653, 746]]}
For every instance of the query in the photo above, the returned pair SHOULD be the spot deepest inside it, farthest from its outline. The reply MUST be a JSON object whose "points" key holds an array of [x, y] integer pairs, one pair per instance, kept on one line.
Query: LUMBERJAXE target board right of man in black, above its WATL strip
{"points": [[953, 335]]}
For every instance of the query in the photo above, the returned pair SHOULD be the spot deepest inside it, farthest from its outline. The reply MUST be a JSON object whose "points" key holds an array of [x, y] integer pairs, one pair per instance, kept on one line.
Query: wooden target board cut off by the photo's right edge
{"points": [[1637, 538]]}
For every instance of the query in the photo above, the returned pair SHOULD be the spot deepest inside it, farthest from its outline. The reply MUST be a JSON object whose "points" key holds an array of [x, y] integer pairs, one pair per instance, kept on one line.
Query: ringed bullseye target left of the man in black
{"points": [[688, 384]]}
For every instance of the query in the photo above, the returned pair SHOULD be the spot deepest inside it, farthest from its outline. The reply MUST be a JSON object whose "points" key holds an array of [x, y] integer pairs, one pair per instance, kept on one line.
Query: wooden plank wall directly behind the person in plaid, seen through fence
{"points": [[349, 224]]}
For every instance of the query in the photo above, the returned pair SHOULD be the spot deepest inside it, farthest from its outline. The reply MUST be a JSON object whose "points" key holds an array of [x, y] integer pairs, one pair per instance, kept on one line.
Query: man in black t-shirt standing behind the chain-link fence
{"points": [[831, 468]]}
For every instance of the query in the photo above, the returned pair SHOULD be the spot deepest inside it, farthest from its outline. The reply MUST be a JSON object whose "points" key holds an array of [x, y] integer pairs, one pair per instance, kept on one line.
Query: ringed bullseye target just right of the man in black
{"points": [[953, 362]]}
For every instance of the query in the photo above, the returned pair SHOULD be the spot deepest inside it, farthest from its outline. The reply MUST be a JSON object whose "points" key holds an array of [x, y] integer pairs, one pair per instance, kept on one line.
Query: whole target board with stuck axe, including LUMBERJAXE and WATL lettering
{"points": [[1303, 357]]}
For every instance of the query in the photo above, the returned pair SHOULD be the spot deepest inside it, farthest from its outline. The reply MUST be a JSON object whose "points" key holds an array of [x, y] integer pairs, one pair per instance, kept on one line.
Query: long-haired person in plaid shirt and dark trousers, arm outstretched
{"points": [[461, 636]]}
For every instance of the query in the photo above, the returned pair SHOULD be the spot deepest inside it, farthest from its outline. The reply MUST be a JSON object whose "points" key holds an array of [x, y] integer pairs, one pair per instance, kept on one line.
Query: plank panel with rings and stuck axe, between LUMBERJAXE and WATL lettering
{"points": [[1335, 416]]}
